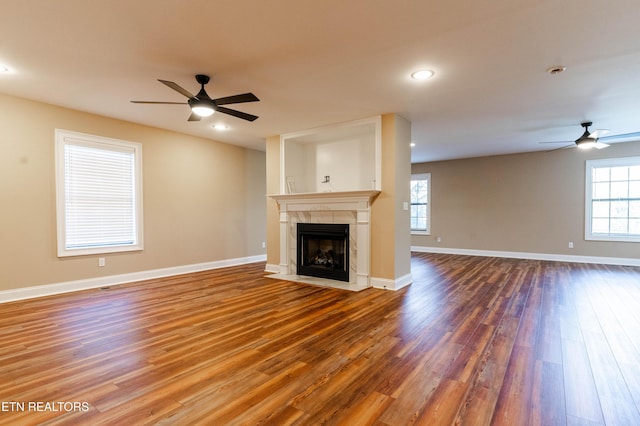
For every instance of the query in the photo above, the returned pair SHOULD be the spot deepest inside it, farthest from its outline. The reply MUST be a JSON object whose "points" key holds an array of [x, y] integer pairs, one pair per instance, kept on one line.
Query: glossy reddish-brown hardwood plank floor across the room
{"points": [[472, 341]]}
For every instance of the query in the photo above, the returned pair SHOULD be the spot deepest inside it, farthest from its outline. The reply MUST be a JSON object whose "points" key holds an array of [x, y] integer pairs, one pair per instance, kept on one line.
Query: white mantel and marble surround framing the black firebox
{"points": [[350, 207]]}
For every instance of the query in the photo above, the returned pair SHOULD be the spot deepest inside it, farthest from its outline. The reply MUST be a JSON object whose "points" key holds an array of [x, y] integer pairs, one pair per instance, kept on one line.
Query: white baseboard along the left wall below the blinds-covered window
{"points": [[86, 284]]}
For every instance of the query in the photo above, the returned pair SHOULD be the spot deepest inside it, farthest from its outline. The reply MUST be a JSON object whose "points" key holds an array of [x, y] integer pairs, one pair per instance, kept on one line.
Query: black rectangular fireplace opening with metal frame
{"points": [[323, 250]]}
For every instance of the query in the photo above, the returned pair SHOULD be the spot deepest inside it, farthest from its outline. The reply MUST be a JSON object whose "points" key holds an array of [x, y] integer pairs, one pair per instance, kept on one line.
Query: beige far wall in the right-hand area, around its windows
{"points": [[531, 203]]}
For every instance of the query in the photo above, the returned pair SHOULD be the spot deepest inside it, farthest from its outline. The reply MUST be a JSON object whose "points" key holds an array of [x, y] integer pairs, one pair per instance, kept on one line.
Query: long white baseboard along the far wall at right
{"points": [[623, 261]]}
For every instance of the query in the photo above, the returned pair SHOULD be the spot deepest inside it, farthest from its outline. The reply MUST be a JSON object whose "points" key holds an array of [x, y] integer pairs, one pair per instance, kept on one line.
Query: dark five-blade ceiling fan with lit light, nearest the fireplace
{"points": [[202, 105]]}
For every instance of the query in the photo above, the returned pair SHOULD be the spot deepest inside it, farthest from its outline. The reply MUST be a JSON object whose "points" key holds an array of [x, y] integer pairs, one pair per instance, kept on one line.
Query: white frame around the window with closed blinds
{"points": [[66, 137]]}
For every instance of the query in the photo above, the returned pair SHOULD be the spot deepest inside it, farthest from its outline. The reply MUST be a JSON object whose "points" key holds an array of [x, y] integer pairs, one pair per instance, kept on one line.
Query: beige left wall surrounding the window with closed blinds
{"points": [[203, 200]]}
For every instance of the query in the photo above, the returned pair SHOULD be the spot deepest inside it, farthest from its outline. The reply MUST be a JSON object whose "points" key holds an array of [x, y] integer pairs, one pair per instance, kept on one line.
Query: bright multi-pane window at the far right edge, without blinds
{"points": [[613, 199]]}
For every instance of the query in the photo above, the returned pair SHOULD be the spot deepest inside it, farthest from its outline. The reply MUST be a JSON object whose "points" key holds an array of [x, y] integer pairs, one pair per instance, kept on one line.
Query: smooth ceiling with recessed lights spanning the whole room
{"points": [[319, 62]]}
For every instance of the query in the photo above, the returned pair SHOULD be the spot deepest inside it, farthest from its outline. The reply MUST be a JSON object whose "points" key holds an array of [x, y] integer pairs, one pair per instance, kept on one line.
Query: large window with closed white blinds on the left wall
{"points": [[98, 194]]}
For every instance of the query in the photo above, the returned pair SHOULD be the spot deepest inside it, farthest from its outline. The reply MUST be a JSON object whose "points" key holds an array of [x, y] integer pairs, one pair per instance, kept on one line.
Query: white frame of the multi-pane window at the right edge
{"points": [[590, 166]]}
